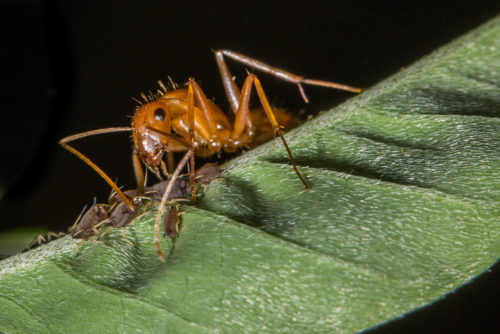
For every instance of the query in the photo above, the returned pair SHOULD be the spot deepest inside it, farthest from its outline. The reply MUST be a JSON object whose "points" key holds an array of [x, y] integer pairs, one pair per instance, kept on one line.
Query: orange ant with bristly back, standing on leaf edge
{"points": [[185, 120]]}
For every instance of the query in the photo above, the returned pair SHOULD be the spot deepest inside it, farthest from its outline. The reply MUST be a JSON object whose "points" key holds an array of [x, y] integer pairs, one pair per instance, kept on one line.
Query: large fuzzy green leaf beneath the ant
{"points": [[403, 208]]}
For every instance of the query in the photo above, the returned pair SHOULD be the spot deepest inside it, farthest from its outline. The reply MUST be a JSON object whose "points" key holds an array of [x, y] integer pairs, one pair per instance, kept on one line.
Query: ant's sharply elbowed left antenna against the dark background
{"points": [[92, 165]]}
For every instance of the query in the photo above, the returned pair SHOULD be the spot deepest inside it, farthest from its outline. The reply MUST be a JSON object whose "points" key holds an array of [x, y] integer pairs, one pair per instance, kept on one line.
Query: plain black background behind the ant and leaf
{"points": [[73, 66]]}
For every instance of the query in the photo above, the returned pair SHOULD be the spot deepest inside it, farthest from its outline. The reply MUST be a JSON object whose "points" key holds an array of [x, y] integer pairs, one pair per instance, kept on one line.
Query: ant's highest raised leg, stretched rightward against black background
{"points": [[232, 90]]}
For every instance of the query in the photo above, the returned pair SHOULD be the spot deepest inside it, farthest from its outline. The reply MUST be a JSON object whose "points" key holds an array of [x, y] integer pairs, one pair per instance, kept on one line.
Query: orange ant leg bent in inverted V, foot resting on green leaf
{"points": [[243, 116]]}
